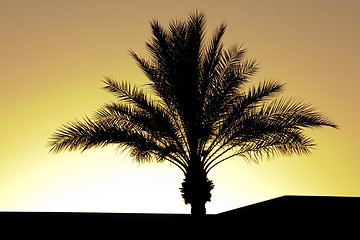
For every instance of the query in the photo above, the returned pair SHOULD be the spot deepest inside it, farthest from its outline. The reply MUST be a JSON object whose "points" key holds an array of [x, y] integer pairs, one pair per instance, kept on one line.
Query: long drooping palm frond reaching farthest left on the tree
{"points": [[86, 134]]}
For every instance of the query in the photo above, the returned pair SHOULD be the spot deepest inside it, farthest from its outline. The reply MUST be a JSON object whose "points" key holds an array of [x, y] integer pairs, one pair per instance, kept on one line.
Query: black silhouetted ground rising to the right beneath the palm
{"points": [[294, 215]]}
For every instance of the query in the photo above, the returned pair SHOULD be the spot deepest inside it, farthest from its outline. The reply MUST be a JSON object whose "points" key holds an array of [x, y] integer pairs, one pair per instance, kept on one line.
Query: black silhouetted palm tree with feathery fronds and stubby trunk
{"points": [[199, 113]]}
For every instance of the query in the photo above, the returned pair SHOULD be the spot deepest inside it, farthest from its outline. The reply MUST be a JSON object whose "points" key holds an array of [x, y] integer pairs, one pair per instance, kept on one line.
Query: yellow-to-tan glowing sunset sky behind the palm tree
{"points": [[53, 55]]}
